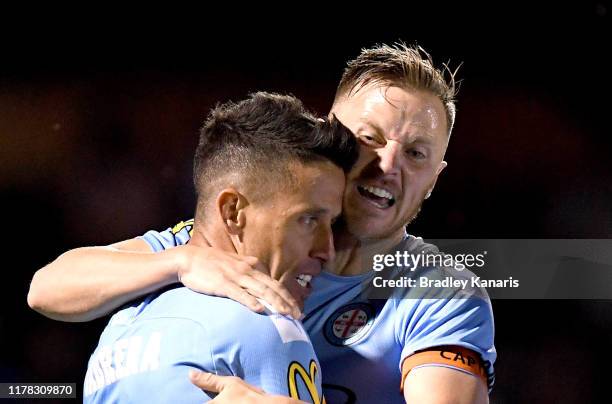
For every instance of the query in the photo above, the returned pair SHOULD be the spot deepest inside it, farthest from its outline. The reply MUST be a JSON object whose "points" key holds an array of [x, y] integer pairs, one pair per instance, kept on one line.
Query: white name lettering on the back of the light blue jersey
{"points": [[126, 357]]}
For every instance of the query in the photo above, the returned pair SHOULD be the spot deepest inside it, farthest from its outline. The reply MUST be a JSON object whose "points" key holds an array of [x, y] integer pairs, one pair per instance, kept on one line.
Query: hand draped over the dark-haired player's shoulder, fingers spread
{"points": [[240, 278]]}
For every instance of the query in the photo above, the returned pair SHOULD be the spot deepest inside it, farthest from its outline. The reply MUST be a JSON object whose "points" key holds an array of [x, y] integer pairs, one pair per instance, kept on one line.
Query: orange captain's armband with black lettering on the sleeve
{"points": [[454, 357]]}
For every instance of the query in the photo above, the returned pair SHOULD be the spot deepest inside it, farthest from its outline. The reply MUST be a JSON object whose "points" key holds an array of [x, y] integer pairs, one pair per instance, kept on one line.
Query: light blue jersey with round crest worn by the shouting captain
{"points": [[361, 343]]}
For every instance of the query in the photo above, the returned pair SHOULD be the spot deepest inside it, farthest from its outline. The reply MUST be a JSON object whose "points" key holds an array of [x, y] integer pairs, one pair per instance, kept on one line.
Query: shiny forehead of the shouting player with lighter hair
{"points": [[394, 110]]}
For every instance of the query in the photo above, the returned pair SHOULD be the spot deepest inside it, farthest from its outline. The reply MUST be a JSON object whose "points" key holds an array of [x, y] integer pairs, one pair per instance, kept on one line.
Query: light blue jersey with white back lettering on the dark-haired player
{"points": [[147, 349]]}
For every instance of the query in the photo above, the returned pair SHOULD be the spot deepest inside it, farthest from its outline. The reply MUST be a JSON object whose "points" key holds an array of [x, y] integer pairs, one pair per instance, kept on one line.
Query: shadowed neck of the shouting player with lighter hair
{"points": [[355, 256]]}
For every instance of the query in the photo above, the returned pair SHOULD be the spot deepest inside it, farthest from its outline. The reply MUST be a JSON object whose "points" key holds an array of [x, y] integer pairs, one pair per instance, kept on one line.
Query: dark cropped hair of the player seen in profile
{"points": [[256, 138]]}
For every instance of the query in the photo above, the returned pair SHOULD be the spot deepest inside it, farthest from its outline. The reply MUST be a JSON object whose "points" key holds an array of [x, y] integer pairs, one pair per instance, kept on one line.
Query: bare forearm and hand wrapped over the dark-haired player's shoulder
{"points": [[87, 283]]}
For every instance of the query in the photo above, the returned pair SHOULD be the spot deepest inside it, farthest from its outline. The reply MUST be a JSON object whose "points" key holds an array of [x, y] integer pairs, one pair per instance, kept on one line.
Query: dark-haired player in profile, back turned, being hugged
{"points": [[280, 211]]}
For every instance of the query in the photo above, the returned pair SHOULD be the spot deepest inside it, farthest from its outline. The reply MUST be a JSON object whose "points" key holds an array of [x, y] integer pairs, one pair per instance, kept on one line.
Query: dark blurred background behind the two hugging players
{"points": [[98, 123]]}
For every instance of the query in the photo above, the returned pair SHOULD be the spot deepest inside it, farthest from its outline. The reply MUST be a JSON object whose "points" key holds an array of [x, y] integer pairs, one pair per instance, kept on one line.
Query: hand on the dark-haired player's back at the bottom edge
{"points": [[232, 389]]}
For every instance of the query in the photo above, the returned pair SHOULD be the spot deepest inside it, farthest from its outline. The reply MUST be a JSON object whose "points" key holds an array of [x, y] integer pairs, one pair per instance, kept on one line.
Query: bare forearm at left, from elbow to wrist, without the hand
{"points": [[87, 283]]}
